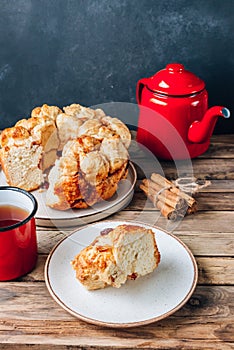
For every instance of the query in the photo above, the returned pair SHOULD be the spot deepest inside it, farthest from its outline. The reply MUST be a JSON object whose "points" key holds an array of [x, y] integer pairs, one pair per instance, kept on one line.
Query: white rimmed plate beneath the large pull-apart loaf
{"points": [[49, 217]]}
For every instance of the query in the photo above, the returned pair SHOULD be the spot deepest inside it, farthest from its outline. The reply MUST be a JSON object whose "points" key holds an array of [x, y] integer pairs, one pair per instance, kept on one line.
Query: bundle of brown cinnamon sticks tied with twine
{"points": [[168, 198]]}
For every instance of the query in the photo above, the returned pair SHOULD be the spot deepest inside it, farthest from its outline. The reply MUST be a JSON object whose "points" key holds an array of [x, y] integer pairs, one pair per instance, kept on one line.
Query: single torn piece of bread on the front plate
{"points": [[125, 252]]}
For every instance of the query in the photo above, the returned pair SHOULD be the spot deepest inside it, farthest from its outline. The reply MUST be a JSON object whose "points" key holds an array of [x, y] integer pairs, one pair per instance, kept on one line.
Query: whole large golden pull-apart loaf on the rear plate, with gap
{"points": [[80, 153]]}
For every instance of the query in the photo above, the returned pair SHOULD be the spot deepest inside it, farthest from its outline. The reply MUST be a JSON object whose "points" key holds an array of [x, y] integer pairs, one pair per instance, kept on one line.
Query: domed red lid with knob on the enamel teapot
{"points": [[175, 80]]}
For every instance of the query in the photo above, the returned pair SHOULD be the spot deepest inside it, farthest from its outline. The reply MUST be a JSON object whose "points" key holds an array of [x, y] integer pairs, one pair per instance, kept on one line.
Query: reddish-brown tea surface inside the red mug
{"points": [[11, 215]]}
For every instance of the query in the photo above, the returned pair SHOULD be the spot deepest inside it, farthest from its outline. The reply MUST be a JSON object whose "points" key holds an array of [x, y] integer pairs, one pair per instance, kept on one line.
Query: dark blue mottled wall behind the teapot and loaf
{"points": [[92, 52]]}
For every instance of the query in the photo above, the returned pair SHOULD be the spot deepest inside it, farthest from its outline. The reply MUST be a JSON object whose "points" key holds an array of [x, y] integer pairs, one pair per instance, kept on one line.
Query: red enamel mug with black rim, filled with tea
{"points": [[18, 243]]}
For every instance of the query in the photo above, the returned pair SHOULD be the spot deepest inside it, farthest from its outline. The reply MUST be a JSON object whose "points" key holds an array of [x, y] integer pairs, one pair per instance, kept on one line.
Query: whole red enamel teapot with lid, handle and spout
{"points": [[174, 119]]}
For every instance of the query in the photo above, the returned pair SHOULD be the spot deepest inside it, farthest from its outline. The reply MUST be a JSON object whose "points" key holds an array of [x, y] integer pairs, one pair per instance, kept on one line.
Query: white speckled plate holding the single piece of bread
{"points": [[145, 300]]}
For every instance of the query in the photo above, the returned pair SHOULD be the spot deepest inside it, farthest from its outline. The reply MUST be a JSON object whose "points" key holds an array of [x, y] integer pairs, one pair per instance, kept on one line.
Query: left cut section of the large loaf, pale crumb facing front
{"points": [[27, 149]]}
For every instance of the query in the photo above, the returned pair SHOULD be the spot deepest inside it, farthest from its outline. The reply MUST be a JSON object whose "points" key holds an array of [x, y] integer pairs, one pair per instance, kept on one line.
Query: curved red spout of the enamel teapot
{"points": [[201, 131]]}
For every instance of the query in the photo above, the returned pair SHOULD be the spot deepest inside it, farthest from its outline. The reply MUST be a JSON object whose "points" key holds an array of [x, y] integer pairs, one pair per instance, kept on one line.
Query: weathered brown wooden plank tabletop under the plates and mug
{"points": [[30, 318]]}
